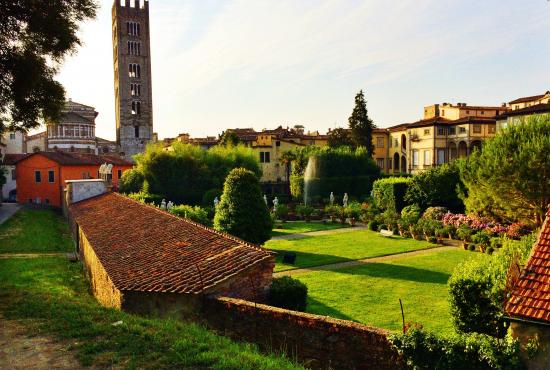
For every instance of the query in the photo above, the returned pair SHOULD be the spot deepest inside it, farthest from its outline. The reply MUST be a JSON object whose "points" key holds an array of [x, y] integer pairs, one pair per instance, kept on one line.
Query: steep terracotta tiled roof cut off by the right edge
{"points": [[530, 298]]}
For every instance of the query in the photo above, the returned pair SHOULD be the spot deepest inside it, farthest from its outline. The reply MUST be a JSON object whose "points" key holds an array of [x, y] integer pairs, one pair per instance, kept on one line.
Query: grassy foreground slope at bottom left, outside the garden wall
{"points": [[52, 295]]}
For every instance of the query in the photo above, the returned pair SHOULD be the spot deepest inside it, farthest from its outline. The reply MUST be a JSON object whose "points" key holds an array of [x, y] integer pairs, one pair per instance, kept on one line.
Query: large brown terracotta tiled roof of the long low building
{"points": [[143, 248]]}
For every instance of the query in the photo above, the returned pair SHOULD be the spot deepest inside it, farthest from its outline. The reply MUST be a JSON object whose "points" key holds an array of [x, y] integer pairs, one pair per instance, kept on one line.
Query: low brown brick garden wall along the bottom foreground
{"points": [[318, 342]]}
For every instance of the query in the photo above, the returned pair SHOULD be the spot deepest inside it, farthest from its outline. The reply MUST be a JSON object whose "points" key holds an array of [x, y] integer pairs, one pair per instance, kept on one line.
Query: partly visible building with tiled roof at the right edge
{"points": [[528, 308]]}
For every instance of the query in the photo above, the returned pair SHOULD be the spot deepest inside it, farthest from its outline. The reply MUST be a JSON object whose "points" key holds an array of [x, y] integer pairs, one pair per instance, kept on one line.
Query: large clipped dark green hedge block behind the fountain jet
{"points": [[338, 170]]}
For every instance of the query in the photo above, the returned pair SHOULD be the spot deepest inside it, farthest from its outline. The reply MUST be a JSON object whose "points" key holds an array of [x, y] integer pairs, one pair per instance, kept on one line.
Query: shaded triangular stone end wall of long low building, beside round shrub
{"points": [[250, 284]]}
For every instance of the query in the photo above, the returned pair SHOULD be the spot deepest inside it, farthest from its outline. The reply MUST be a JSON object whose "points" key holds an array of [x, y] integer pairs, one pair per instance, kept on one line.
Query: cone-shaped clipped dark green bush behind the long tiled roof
{"points": [[242, 211]]}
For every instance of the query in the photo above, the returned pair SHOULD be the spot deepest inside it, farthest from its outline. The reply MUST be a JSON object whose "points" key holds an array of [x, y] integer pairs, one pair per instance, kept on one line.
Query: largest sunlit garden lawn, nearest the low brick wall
{"points": [[370, 293]]}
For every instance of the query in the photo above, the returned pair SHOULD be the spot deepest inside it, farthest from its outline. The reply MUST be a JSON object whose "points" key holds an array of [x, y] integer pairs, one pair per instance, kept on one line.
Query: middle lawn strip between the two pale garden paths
{"points": [[325, 249]]}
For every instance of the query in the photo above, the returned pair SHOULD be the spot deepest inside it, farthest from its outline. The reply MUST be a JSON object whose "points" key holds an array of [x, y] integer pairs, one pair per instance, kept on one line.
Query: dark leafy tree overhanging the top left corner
{"points": [[35, 36]]}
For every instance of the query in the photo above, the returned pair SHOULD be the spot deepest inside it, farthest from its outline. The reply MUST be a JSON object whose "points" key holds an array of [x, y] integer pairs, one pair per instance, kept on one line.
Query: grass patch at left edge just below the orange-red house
{"points": [[35, 231]]}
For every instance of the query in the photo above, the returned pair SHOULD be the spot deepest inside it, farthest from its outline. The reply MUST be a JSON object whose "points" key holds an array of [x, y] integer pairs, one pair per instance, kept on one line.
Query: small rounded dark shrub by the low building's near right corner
{"points": [[289, 293]]}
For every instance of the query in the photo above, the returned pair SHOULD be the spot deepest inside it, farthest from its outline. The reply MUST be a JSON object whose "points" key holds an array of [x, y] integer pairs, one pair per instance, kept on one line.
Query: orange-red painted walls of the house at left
{"points": [[51, 192]]}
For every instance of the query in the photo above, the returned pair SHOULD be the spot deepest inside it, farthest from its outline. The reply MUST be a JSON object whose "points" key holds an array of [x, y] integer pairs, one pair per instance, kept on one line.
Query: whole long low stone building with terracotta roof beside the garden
{"points": [[144, 260]]}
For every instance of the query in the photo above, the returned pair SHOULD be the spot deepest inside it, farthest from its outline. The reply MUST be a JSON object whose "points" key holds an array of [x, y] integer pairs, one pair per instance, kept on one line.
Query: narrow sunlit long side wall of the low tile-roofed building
{"points": [[102, 287]]}
